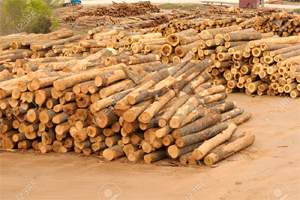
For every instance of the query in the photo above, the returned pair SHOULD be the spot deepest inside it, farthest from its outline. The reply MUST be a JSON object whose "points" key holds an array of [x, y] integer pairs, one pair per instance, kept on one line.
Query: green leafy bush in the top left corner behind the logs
{"points": [[31, 16]]}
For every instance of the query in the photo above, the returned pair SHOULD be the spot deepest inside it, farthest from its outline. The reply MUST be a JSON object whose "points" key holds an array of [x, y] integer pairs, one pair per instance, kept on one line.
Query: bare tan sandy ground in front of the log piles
{"points": [[269, 166]]}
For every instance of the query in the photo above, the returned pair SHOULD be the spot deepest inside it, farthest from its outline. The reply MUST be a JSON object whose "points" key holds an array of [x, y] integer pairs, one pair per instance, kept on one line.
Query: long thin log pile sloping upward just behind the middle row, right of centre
{"points": [[211, 18]]}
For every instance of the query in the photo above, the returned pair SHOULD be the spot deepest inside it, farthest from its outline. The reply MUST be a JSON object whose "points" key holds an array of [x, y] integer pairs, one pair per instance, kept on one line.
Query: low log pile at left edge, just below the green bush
{"points": [[23, 46]]}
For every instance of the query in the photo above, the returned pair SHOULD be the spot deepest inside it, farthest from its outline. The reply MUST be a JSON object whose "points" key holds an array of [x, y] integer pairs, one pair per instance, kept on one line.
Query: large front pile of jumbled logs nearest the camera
{"points": [[140, 108]]}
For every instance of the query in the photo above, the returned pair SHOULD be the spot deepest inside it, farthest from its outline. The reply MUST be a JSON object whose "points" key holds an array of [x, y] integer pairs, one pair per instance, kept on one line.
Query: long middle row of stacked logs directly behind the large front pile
{"points": [[242, 57]]}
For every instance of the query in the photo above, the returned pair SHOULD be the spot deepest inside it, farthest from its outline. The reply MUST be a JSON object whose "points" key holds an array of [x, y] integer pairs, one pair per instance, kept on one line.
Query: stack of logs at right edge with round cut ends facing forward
{"points": [[267, 65]]}
